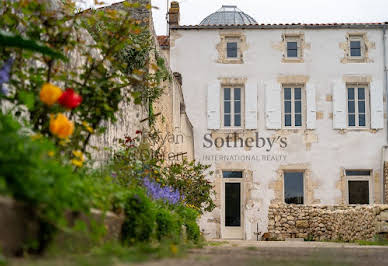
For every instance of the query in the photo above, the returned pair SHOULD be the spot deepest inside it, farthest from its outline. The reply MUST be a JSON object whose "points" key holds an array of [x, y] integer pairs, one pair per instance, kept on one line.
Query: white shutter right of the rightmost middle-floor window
{"points": [[376, 105]]}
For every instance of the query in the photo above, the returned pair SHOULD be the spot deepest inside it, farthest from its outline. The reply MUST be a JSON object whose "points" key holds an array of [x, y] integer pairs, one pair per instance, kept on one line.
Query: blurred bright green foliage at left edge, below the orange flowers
{"points": [[30, 174]]}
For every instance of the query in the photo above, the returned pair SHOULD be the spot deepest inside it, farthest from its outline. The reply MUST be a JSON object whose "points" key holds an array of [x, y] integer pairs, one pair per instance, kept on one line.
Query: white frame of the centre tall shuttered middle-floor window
{"points": [[303, 105]]}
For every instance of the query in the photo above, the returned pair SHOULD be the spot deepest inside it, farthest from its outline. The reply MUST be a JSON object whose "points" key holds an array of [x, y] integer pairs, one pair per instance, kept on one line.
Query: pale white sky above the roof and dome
{"points": [[274, 11]]}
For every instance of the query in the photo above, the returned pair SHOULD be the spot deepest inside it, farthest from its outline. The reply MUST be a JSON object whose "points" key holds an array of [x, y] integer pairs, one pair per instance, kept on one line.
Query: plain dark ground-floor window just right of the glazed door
{"points": [[293, 188]]}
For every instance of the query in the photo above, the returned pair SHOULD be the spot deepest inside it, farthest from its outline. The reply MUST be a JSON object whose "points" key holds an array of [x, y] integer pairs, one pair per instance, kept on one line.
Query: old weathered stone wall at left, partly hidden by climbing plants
{"points": [[171, 121]]}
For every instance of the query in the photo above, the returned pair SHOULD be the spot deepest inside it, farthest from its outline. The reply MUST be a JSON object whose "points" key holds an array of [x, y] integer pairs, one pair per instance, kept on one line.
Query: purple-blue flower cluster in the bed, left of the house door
{"points": [[164, 193]]}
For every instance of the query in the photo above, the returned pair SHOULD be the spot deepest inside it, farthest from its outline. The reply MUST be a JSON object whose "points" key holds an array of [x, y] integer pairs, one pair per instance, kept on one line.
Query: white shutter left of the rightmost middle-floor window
{"points": [[339, 105]]}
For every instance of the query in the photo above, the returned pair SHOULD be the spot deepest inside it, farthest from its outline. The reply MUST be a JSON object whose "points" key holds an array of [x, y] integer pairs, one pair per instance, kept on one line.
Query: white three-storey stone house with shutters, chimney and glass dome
{"points": [[284, 113]]}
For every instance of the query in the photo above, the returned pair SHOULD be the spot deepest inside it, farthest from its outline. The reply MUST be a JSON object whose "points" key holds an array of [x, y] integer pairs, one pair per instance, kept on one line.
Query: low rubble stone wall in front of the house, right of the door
{"points": [[319, 222]]}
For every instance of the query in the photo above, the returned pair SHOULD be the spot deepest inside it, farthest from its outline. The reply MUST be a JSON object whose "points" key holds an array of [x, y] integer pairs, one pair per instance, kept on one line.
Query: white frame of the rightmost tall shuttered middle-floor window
{"points": [[356, 86]]}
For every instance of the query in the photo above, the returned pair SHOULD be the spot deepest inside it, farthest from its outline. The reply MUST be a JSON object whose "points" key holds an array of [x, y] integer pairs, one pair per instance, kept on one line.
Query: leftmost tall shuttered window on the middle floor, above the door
{"points": [[232, 107]]}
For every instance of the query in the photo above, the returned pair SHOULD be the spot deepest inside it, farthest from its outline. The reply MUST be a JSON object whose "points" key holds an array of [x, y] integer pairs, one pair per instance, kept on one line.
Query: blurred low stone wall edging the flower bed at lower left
{"points": [[19, 226]]}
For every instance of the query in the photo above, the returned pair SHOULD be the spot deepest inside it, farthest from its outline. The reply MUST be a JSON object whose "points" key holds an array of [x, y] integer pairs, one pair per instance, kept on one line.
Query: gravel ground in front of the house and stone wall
{"points": [[283, 253]]}
